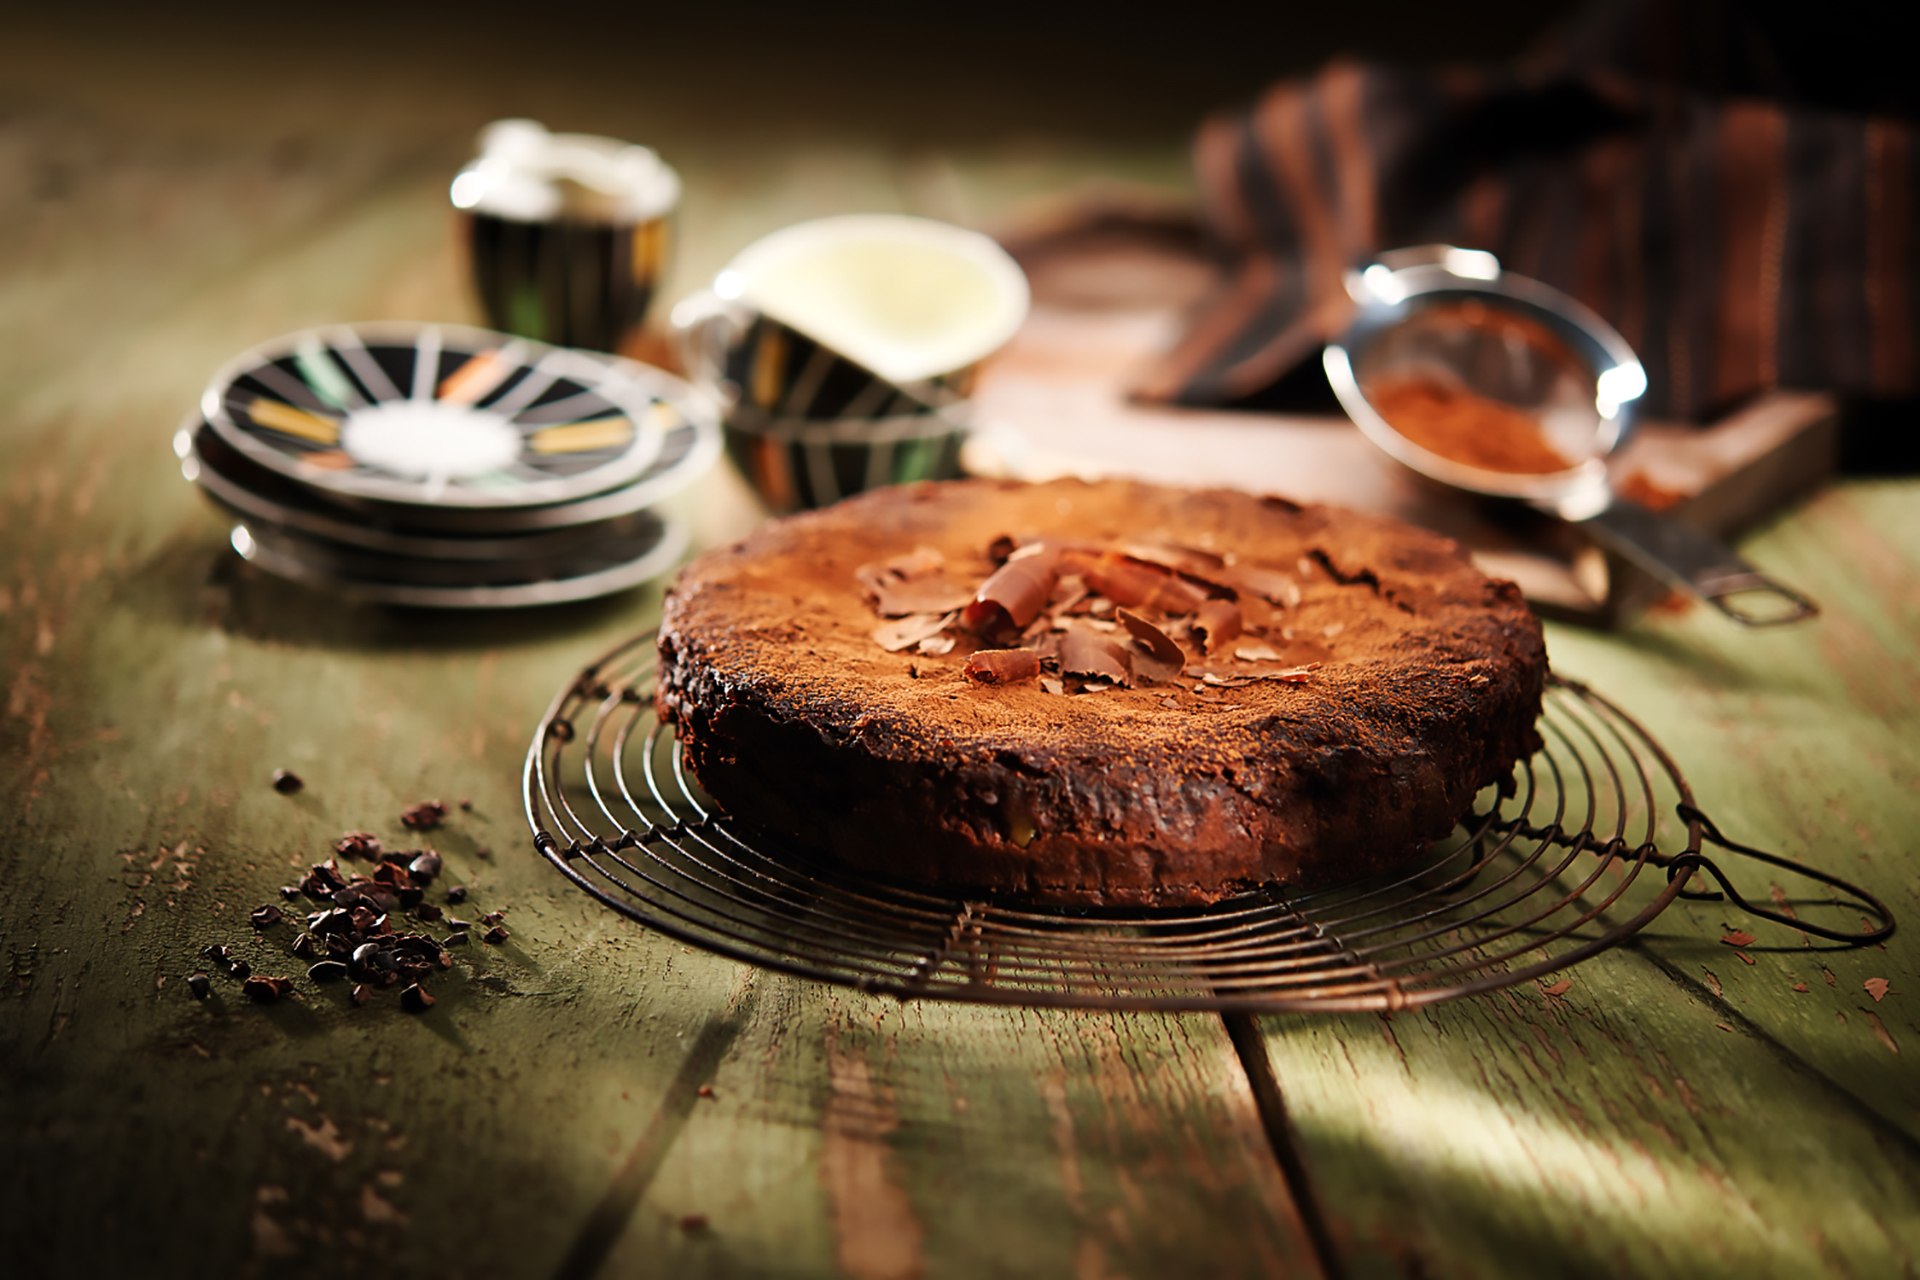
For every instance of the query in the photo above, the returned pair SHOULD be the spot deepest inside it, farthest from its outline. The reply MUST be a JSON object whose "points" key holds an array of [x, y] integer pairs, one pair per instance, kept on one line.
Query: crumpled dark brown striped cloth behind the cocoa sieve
{"points": [[1737, 243]]}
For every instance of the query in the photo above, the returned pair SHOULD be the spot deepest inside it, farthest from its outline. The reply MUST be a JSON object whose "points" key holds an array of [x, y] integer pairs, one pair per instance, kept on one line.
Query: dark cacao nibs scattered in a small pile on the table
{"points": [[366, 928]]}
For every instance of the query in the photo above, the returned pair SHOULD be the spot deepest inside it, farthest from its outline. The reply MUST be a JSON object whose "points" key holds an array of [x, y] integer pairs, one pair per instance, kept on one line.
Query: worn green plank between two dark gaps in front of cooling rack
{"points": [[861, 1137]]}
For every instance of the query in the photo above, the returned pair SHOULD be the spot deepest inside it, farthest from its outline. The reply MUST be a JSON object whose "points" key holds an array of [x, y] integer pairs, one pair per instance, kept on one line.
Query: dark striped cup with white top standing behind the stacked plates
{"points": [[567, 235]]}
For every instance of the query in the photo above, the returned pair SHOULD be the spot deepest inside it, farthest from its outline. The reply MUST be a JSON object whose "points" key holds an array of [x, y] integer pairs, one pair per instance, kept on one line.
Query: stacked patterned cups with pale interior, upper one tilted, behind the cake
{"points": [[846, 350]]}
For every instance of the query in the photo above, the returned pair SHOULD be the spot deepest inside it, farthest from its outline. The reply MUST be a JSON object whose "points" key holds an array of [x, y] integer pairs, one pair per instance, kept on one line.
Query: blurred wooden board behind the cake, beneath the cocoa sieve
{"points": [[1113, 289]]}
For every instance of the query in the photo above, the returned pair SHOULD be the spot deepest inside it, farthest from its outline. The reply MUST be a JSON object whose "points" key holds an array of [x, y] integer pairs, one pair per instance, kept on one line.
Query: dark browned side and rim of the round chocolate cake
{"points": [[1312, 788]]}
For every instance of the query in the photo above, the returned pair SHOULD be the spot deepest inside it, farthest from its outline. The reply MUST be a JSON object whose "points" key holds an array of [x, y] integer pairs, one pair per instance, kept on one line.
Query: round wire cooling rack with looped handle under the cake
{"points": [[1598, 838]]}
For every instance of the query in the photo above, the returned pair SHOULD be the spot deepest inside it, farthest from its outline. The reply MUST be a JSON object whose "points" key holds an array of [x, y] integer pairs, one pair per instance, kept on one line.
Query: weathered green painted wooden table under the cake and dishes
{"points": [[592, 1099]]}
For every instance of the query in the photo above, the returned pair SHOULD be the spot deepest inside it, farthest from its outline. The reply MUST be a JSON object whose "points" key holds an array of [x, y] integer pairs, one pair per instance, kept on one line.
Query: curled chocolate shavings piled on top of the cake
{"points": [[1084, 619]]}
